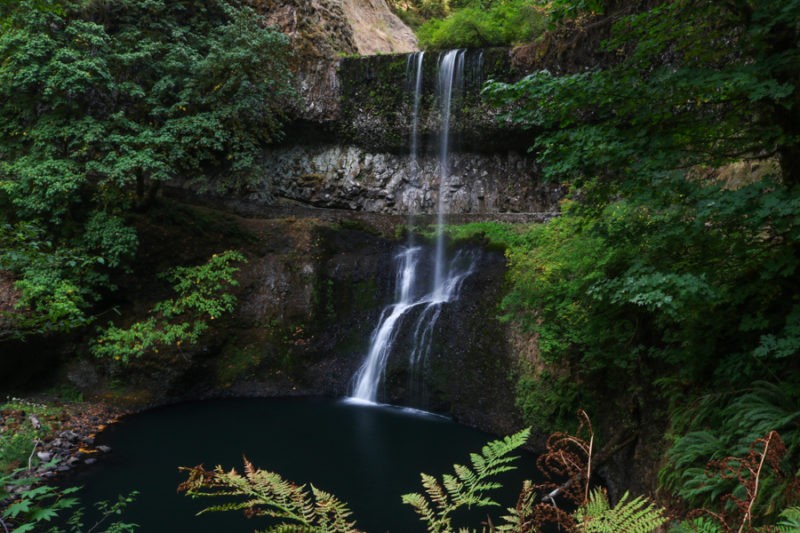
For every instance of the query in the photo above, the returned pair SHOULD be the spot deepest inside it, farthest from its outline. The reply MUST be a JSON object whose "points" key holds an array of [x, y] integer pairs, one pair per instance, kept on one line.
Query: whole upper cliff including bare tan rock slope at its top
{"points": [[348, 145]]}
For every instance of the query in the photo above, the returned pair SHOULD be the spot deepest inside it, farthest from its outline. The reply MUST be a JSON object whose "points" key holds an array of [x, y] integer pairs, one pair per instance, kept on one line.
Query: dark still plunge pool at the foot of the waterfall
{"points": [[368, 456]]}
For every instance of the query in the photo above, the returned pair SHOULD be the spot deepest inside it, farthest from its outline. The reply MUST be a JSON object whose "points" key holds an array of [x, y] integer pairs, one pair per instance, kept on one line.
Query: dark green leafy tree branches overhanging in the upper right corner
{"points": [[699, 82]]}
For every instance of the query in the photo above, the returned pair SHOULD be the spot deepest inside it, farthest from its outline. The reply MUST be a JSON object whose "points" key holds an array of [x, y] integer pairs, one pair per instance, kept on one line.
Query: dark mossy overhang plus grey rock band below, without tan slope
{"points": [[360, 160]]}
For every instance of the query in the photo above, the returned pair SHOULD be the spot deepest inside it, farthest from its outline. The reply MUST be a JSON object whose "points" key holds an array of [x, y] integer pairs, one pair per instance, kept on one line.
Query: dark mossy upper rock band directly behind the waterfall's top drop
{"points": [[377, 103]]}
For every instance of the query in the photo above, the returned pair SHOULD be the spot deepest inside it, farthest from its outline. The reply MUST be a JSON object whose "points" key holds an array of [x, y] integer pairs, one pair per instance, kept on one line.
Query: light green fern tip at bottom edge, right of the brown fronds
{"points": [[639, 515]]}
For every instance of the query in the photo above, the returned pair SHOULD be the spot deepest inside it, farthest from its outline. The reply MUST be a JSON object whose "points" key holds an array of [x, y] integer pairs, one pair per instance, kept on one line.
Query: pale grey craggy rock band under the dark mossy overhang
{"points": [[351, 177]]}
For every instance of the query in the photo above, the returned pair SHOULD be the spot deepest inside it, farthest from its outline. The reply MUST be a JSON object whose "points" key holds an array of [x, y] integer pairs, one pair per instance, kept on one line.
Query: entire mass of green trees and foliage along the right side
{"points": [[673, 270]]}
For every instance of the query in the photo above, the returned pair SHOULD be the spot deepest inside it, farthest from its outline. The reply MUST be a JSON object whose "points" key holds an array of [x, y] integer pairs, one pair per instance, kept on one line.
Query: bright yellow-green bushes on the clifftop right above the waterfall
{"points": [[483, 23]]}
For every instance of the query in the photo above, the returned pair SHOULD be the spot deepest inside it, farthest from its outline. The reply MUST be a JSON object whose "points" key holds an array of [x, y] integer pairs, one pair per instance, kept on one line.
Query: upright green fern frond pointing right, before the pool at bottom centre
{"points": [[468, 487]]}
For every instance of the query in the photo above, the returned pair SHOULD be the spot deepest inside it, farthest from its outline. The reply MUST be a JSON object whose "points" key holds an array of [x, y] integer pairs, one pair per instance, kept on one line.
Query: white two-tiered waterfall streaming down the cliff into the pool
{"points": [[412, 298]]}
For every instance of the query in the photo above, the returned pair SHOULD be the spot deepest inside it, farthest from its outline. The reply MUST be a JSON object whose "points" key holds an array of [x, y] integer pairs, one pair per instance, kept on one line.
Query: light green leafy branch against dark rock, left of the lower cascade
{"points": [[202, 296]]}
